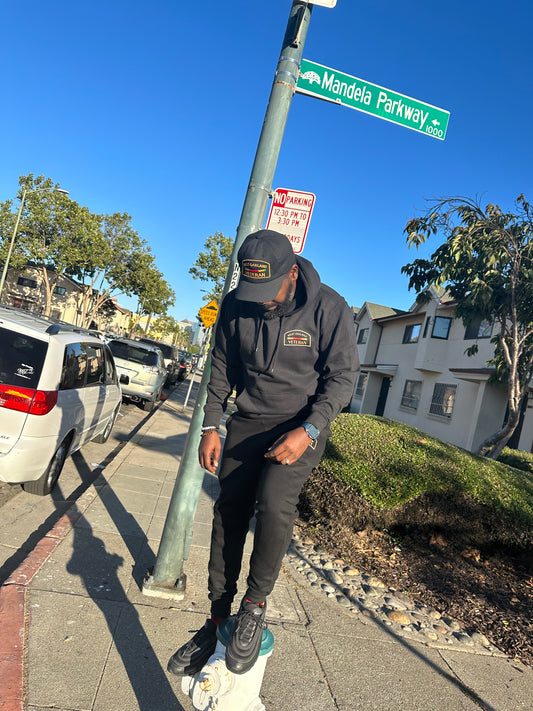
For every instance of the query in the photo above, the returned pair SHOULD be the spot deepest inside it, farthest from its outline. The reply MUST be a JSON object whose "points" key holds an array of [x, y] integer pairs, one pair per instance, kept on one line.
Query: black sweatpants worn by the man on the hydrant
{"points": [[250, 484]]}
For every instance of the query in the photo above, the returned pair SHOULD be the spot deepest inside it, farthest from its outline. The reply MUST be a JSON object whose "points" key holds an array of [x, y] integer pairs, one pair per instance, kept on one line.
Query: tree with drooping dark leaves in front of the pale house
{"points": [[486, 264]]}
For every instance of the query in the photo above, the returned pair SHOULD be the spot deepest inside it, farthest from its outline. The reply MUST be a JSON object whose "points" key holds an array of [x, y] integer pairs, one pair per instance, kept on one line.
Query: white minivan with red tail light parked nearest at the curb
{"points": [[58, 390]]}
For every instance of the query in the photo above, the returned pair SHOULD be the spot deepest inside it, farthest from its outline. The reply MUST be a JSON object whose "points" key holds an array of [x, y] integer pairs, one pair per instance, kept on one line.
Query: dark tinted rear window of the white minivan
{"points": [[21, 358]]}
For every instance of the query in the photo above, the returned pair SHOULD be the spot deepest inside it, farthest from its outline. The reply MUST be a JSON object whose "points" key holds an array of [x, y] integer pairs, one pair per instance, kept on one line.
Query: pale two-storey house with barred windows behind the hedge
{"points": [[414, 369]]}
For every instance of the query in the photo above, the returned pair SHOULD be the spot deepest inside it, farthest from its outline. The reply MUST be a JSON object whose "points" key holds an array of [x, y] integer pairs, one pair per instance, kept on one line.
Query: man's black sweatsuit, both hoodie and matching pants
{"points": [[297, 368]]}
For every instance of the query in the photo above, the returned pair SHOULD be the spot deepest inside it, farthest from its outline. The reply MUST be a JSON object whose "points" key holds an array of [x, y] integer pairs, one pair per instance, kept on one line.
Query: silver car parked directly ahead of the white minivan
{"points": [[145, 367]]}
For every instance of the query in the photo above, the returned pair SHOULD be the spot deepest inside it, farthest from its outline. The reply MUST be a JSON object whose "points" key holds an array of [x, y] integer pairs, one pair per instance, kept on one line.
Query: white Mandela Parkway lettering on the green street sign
{"points": [[384, 105]]}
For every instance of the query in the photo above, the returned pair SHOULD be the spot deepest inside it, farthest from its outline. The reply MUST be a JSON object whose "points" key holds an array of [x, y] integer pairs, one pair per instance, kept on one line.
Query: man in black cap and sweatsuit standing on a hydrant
{"points": [[286, 344]]}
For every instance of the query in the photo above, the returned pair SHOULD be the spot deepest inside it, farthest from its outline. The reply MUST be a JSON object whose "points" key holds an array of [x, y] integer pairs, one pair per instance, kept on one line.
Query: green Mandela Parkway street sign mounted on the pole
{"points": [[339, 88]]}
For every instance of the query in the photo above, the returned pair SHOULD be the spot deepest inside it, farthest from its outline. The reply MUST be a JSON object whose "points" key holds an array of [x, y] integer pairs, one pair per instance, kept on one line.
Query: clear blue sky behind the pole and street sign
{"points": [[155, 109]]}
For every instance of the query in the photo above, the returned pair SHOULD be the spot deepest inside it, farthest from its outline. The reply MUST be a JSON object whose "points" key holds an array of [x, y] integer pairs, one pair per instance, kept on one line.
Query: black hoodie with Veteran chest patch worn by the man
{"points": [[303, 363]]}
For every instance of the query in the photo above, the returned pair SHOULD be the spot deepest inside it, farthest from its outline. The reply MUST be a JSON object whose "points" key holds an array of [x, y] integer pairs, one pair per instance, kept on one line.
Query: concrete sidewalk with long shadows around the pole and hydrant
{"points": [[77, 634]]}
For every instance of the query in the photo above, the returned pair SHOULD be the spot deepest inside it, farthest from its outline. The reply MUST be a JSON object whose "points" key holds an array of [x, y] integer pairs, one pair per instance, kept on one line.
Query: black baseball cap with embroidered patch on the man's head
{"points": [[265, 259]]}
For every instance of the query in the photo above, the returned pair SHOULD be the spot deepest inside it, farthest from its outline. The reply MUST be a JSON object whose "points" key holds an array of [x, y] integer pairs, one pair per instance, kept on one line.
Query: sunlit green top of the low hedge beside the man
{"points": [[390, 463]]}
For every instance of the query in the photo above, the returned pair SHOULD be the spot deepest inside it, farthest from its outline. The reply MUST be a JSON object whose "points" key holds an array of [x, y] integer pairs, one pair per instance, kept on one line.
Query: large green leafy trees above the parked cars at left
{"points": [[103, 252]]}
